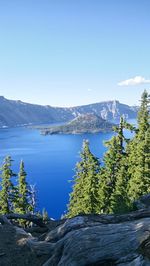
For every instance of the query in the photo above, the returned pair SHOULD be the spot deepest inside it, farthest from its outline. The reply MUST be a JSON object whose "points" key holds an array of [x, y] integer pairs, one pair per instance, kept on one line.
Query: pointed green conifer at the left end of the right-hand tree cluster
{"points": [[84, 198]]}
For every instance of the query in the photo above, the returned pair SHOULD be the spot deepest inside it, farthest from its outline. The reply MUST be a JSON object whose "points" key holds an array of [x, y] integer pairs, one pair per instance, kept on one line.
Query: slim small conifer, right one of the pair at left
{"points": [[22, 205]]}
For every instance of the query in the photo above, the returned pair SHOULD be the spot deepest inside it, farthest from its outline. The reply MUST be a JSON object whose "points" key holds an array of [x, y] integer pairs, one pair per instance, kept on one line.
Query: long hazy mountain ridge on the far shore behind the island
{"points": [[17, 113]]}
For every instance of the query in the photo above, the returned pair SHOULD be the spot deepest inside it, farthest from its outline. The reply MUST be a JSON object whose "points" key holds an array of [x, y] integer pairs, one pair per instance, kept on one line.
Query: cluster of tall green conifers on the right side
{"points": [[125, 174]]}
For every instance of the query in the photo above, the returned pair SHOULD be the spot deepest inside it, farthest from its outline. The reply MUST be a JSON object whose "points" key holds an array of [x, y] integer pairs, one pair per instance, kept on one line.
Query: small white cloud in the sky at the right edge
{"points": [[138, 80]]}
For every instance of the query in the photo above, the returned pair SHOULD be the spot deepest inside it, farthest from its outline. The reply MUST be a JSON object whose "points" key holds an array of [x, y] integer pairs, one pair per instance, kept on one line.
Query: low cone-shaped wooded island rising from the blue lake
{"points": [[84, 123]]}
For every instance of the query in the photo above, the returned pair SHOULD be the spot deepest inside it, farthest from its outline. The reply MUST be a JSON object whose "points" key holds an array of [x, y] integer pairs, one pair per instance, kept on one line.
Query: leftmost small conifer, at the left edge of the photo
{"points": [[7, 187]]}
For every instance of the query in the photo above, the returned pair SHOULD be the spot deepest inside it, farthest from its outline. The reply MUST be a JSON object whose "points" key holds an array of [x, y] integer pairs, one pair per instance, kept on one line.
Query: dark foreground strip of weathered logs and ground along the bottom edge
{"points": [[90, 240]]}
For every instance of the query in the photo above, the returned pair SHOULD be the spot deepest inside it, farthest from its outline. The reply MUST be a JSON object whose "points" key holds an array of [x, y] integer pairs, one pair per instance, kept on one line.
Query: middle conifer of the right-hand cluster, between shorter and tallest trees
{"points": [[112, 178]]}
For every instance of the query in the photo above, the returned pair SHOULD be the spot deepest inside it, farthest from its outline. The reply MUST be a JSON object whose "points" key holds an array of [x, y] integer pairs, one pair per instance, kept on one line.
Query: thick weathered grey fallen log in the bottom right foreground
{"points": [[102, 244]]}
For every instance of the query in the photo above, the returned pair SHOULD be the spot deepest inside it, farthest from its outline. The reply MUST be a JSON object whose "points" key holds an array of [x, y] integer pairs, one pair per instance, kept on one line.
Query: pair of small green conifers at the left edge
{"points": [[14, 198]]}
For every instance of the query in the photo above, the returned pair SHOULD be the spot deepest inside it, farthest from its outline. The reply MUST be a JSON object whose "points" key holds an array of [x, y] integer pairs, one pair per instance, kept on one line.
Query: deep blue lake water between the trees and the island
{"points": [[49, 162]]}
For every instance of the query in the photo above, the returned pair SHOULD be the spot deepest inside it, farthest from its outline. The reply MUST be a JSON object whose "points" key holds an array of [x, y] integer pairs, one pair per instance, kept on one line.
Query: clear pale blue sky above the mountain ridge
{"points": [[72, 52]]}
